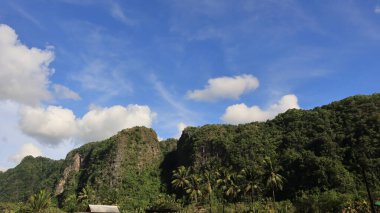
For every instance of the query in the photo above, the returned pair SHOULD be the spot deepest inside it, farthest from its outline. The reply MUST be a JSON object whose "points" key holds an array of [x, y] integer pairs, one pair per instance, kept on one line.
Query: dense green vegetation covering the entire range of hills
{"points": [[319, 160]]}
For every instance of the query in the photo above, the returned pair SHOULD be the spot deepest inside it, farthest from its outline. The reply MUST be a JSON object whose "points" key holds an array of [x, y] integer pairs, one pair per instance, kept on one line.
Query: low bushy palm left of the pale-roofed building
{"points": [[39, 202]]}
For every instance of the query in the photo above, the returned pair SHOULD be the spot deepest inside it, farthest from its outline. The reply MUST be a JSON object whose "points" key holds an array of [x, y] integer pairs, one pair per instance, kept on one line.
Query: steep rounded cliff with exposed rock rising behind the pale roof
{"points": [[113, 165]]}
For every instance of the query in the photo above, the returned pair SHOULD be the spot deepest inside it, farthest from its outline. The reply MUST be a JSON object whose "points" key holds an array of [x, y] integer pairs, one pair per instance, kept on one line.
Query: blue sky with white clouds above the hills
{"points": [[73, 72]]}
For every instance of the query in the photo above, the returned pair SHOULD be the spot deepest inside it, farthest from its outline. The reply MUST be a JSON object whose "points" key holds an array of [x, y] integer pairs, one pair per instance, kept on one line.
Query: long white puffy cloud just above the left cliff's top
{"points": [[55, 124]]}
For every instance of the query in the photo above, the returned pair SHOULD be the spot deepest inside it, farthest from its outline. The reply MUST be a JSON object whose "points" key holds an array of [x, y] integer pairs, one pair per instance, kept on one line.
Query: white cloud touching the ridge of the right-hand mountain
{"points": [[240, 113]]}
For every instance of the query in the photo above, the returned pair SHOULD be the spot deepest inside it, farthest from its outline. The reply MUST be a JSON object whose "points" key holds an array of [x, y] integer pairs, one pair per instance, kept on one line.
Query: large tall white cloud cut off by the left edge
{"points": [[24, 71]]}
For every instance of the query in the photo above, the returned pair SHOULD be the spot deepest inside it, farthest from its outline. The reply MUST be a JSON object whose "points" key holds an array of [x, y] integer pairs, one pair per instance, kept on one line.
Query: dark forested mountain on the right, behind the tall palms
{"points": [[326, 148]]}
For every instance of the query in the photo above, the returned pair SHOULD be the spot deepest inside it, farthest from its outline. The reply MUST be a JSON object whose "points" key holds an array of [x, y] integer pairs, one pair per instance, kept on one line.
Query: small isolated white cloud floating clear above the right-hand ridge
{"points": [[225, 88]]}
